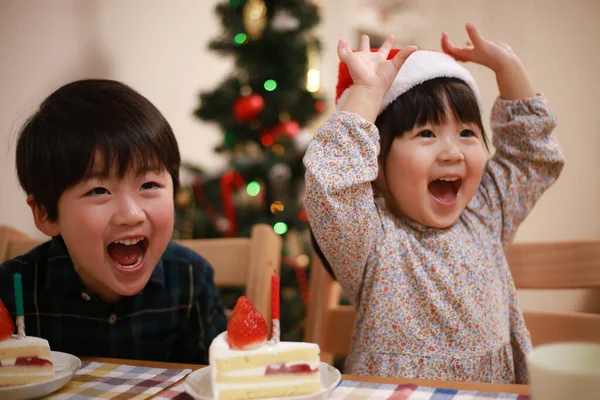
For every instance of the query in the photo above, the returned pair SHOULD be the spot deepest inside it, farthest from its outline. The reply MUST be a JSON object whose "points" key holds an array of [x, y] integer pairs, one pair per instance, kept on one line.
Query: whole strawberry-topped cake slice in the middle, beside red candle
{"points": [[246, 366]]}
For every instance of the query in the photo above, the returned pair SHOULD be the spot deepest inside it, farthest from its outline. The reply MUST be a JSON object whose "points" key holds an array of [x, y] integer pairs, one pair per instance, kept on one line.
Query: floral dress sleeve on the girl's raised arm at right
{"points": [[528, 160]]}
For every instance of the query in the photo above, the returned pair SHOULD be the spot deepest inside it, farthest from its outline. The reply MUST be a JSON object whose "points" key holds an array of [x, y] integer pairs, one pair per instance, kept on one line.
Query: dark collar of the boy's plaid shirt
{"points": [[61, 274]]}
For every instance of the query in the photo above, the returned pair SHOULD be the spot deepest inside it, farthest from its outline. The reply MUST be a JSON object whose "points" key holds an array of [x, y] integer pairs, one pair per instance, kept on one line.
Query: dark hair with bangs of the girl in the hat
{"points": [[425, 103]]}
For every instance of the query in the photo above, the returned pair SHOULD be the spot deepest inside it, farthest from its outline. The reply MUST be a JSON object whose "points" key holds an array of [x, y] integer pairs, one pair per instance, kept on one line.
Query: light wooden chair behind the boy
{"points": [[237, 262]]}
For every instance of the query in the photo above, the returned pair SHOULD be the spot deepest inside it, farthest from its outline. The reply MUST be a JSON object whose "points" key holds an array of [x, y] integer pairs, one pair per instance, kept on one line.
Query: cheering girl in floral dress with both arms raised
{"points": [[425, 266]]}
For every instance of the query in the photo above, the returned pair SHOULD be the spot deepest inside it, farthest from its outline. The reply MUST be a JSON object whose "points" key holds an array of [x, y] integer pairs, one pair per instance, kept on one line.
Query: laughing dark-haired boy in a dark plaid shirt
{"points": [[100, 166]]}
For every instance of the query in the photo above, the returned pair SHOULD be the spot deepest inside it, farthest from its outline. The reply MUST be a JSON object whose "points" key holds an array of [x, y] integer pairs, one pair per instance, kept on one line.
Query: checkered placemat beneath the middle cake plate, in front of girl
{"points": [[355, 390]]}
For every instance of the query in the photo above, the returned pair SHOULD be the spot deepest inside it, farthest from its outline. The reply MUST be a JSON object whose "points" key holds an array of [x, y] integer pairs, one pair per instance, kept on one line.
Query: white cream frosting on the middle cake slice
{"points": [[220, 349]]}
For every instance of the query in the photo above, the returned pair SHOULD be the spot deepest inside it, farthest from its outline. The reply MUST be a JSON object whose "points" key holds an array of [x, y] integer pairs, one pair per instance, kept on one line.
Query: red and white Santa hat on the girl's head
{"points": [[421, 66]]}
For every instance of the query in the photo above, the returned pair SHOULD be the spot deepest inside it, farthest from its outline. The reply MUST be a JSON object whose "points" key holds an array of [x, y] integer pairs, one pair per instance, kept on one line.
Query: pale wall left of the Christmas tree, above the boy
{"points": [[158, 47]]}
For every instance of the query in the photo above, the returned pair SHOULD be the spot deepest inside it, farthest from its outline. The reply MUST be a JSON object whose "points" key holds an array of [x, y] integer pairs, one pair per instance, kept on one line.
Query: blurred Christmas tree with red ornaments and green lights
{"points": [[262, 109]]}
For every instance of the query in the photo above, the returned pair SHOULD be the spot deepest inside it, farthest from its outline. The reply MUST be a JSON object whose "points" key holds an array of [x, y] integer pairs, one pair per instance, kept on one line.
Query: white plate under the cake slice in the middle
{"points": [[198, 385]]}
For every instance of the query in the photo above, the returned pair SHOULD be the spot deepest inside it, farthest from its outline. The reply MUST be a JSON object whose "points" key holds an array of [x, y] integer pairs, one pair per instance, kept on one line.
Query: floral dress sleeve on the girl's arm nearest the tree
{"points": [[341, 163]]}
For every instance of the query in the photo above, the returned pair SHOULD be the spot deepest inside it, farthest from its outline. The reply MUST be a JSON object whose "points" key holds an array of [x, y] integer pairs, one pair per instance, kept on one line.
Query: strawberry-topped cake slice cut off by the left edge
{"points": [[22, 360]]}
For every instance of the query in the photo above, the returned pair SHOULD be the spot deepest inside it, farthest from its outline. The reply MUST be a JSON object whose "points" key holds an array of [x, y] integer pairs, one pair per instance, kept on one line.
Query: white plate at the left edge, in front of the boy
{"points": [[65, 366]]}
